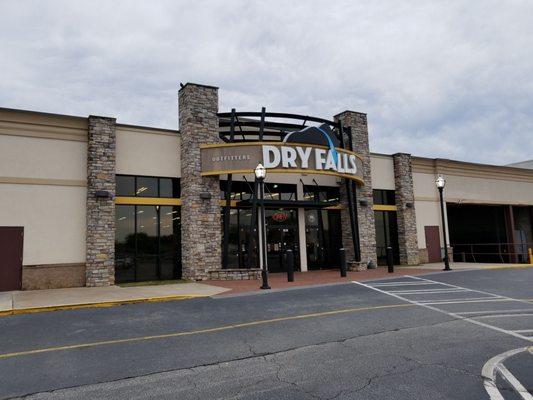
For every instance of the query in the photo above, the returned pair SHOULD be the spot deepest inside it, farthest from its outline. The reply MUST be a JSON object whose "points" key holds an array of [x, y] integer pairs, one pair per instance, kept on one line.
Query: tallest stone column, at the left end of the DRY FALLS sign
{"points": [[201, 238]]}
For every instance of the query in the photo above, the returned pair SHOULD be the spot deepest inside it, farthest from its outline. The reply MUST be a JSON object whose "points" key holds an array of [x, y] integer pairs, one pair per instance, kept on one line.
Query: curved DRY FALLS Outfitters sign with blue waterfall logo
{"points": [[311, 150]]}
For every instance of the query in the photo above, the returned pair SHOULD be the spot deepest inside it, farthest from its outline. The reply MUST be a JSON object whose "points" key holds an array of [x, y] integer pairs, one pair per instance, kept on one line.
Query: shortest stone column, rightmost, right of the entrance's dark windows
{"points": [[405, 204]]}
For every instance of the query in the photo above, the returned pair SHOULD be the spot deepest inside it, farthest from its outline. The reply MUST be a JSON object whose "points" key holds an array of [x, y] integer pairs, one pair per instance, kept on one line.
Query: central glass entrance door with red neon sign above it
{"points": [[282, 234]]}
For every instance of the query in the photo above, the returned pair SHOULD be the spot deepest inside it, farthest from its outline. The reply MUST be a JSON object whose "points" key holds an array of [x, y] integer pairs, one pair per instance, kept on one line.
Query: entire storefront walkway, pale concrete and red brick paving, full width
{"points": [[23, 302]]}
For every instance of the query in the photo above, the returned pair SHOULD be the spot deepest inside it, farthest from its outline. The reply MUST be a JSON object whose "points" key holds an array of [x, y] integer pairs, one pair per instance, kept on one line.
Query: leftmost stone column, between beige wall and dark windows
{"points": [[100, 253]]}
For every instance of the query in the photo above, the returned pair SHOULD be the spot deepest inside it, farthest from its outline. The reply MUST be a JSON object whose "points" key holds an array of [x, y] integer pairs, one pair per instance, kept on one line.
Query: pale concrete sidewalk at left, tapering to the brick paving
{"points": [[22, 302]]}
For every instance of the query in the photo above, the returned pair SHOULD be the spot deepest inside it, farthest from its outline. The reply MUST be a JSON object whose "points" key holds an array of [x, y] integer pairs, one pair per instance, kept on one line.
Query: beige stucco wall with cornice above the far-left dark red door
{"points": [[42, 184]]}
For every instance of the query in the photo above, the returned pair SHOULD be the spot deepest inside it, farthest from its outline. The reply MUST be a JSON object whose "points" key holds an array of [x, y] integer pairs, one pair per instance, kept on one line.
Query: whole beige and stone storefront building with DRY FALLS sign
{"points": [[92, 202]]}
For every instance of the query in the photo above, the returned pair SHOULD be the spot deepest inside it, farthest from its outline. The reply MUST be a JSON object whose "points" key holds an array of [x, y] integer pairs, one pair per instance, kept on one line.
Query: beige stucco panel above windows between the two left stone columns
{"points": [[144, 151]]}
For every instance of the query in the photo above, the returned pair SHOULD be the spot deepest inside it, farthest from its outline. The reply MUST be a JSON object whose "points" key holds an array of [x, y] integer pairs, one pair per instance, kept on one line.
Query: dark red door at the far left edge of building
{"points": [[11, 239]]}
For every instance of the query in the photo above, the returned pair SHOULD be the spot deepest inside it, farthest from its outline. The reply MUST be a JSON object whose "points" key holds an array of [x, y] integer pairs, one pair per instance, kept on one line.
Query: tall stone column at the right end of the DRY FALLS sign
{"points": [[365, 199]]}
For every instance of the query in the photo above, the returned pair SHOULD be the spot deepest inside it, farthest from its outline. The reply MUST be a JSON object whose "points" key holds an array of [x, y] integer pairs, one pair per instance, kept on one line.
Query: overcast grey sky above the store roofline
{"points": [[451, 79]]}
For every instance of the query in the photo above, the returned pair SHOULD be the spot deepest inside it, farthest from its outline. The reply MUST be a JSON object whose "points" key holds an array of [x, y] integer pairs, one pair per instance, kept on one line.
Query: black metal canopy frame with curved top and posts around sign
{"points": [[273, 126]]}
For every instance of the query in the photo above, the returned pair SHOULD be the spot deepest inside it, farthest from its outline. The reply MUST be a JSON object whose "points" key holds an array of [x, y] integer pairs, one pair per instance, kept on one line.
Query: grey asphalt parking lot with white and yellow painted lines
{"points": [[458, 335]]}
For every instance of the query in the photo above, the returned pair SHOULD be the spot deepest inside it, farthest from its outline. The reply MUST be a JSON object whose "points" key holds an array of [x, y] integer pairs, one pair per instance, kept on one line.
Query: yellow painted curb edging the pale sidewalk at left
{"points": [[102, 304]]}
